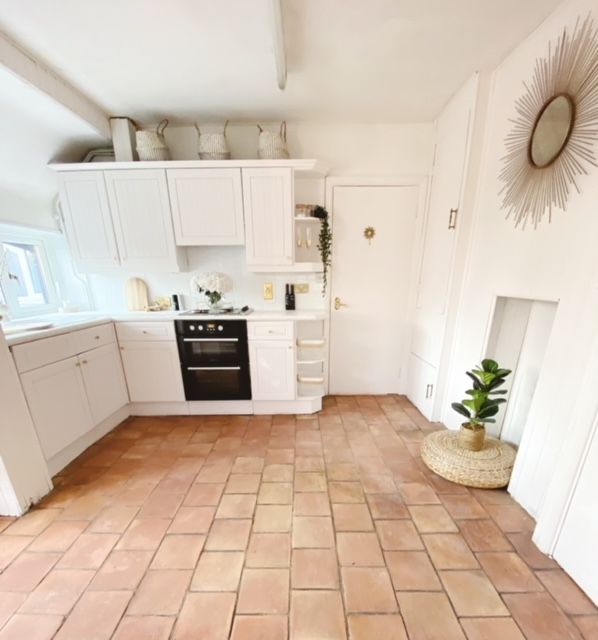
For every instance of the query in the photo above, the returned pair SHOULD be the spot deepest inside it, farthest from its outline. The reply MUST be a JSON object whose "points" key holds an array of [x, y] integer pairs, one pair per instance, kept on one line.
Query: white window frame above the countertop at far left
{"points": [[34, 238]]}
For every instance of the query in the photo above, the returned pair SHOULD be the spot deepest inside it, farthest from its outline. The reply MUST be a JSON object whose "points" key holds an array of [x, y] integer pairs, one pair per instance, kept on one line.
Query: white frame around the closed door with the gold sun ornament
{"points": [[422, 182]]}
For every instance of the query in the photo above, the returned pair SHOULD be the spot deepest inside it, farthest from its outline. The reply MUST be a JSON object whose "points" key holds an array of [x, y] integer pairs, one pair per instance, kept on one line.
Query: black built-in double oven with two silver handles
{"points": [[214, 359]]}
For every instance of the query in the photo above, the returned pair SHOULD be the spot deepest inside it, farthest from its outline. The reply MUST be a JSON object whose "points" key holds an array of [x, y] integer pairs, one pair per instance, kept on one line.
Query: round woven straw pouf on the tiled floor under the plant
{"points": [[488, 468]]}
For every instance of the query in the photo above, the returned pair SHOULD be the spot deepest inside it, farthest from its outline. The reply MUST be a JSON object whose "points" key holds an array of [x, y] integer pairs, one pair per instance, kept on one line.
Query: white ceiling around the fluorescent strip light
{"points": [[349, 60]]}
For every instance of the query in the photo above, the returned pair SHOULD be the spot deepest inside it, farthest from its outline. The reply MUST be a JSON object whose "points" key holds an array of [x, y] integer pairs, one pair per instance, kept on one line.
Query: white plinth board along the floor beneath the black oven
{"points": [[225, 407]]}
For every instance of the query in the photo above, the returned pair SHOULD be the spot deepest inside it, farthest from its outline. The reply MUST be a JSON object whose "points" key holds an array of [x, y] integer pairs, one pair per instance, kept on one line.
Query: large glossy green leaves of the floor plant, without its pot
{"points": [[482, 404]]}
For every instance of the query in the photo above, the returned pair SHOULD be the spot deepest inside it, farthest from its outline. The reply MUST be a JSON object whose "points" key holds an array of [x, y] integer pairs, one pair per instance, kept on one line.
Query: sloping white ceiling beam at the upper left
{"points": [[25, 67]]}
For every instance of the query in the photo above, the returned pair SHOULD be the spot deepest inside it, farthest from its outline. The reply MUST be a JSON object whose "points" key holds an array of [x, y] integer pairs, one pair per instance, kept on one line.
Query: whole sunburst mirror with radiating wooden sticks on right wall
{"points": [[551, 142]]}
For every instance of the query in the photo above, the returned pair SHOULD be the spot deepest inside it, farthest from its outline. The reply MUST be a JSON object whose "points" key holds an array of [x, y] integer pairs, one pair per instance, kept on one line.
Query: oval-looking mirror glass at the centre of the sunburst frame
{"points": [[551, 131]]}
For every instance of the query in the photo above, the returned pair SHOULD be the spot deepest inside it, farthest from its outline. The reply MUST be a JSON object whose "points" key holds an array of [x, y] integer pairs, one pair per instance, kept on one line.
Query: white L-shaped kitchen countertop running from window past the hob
{"points": [[65, 322]]}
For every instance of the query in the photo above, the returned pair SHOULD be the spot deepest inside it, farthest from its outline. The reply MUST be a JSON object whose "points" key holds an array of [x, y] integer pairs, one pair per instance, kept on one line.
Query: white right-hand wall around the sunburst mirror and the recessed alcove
{"points": [[556, 262]]}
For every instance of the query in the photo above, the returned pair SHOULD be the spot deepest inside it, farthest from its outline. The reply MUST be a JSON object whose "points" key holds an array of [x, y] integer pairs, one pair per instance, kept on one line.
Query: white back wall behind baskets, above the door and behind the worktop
{"points": [[349, 150]]}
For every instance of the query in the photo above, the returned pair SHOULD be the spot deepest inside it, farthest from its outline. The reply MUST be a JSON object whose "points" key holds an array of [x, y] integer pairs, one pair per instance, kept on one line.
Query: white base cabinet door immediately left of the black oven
{"points": [[153, 371]]}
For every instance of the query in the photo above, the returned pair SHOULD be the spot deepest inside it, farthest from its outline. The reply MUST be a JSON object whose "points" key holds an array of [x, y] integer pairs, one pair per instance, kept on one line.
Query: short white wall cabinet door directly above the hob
{"points": [[207, 206]]}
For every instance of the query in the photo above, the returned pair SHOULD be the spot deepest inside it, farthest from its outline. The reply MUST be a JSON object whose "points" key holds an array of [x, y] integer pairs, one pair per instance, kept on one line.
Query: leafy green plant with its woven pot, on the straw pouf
{"points": [[482, 404]]}
